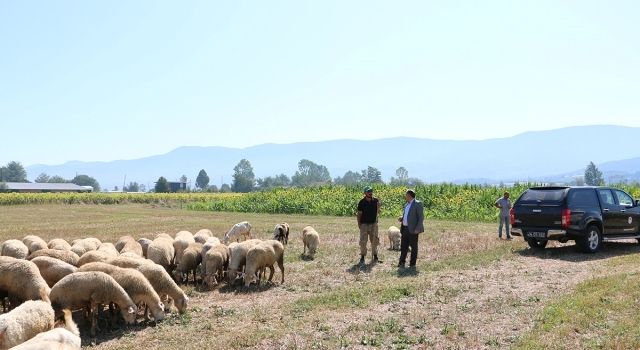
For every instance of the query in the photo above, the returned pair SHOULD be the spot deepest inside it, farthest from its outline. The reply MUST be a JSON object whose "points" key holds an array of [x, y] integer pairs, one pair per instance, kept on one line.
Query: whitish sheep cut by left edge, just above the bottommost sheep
{"points": [[25, 322]]}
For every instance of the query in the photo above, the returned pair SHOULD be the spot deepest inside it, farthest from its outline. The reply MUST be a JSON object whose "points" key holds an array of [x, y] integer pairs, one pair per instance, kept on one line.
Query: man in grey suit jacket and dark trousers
{"points": [[412, 226]]}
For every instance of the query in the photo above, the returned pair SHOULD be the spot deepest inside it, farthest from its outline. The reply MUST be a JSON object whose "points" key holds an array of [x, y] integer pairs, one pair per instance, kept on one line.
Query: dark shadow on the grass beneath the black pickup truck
{"points": [[571, 253]]}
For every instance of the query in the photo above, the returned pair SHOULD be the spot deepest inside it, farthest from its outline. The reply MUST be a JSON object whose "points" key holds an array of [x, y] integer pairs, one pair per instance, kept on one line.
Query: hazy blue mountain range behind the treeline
{"points": [[527, 156]]}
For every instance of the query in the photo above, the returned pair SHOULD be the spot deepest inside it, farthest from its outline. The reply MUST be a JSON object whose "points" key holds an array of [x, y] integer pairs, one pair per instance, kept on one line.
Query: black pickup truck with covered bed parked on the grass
{"points": [[588, 215]]}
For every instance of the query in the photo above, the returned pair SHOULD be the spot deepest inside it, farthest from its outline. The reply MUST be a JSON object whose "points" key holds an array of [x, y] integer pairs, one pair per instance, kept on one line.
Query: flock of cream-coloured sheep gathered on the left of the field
{"points": [[41, 282]]}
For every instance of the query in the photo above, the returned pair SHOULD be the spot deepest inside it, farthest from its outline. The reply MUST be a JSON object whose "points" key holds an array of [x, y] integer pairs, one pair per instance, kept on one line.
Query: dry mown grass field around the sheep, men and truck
{"points": [[471, 290]]}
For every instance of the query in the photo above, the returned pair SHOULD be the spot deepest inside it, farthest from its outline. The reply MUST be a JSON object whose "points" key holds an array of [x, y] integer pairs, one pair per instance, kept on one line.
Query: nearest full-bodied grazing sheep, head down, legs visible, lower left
{"points": [[93, 288]]}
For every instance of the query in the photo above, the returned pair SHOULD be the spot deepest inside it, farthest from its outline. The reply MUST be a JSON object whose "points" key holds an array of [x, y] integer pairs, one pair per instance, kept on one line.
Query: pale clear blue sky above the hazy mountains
{"points": [[106, 80]]}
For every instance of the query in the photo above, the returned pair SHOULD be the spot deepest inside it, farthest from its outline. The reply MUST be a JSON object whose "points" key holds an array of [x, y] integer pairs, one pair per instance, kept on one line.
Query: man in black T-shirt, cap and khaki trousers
{"points": [[368, 211]]}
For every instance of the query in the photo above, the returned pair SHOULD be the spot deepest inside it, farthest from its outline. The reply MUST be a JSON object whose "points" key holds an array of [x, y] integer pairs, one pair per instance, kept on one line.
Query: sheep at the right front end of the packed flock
{"points": [[261, 256]]}
